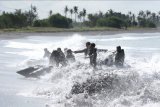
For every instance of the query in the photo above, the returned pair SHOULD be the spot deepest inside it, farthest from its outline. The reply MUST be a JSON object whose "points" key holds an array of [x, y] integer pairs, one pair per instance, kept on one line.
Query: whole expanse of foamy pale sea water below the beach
{"points": [[138, 82]]}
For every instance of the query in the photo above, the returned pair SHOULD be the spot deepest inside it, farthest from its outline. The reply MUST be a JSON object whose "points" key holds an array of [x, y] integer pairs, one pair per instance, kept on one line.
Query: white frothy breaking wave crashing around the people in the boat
{"points": [[135, 85]]}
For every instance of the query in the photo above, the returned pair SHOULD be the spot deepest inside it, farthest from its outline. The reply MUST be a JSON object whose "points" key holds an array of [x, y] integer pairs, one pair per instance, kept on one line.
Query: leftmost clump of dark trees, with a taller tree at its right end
{"points": [[18, 19]]}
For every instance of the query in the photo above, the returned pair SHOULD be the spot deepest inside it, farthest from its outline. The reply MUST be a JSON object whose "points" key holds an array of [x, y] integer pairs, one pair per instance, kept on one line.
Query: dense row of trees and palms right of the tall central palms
{"points": [[120, 20]]}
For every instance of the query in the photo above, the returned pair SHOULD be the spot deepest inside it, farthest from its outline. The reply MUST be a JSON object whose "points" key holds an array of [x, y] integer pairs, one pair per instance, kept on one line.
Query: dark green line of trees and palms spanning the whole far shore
{"points": [[110, 18]]}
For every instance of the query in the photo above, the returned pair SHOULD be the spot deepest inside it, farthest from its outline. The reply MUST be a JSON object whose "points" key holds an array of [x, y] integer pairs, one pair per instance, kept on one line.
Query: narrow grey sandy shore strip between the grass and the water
{"points": [[14, 34]]}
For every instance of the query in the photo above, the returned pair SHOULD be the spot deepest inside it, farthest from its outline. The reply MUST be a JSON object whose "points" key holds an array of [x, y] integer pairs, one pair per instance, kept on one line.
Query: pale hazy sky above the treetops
{"points": [[92, 6]]}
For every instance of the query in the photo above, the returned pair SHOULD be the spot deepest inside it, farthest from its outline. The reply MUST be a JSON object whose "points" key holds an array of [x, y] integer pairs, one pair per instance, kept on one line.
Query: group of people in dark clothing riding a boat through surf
{"points": [[58, 57]]}
